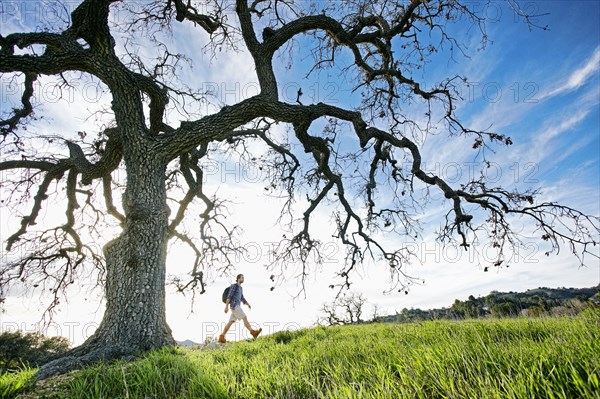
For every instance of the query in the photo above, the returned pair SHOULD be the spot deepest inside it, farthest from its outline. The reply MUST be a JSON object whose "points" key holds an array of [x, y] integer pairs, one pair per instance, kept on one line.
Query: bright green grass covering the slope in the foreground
{"points": [[512, 358]]}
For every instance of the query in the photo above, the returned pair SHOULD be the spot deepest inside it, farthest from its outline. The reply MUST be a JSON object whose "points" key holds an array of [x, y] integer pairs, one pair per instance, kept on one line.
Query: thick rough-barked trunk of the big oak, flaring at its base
{"points": [[134, 319]]}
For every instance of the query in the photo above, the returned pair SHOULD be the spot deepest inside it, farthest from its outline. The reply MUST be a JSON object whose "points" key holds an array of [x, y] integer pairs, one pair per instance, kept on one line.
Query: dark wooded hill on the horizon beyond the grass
{"points": [[535, 302]]}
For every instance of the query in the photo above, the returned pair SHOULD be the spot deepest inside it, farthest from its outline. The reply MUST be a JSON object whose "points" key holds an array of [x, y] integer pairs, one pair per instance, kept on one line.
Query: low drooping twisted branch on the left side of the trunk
{"points": [[55, 256]]}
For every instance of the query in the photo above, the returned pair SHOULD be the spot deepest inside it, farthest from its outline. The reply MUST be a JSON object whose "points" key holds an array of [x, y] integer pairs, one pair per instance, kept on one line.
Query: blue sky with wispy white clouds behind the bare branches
{"points": [[540, 87]]}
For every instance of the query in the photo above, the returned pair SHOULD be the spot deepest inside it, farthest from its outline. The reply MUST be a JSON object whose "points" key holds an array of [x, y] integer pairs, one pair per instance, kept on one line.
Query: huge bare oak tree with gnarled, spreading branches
{"points": [[347, 156]]}
